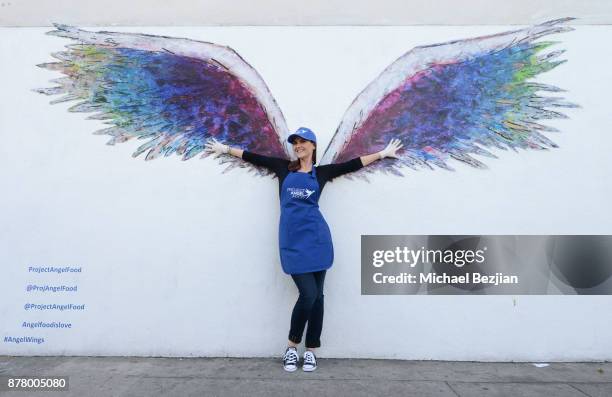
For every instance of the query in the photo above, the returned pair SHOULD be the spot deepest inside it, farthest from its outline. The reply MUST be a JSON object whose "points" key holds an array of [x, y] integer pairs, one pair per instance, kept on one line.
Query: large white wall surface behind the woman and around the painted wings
{"points": [[181, 260]]}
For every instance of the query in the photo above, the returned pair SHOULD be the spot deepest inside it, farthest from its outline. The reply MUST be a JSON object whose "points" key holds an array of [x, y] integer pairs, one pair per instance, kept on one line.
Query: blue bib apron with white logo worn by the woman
{"points": [[303, 235]]}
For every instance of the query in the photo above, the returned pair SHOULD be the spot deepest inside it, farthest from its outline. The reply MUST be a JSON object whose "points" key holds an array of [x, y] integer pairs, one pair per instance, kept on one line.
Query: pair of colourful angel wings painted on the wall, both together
{"points": [[449, 100]]}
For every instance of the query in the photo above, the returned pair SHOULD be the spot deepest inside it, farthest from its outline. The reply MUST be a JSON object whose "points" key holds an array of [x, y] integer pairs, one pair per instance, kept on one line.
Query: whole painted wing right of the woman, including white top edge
{"points": [[452, 100]]}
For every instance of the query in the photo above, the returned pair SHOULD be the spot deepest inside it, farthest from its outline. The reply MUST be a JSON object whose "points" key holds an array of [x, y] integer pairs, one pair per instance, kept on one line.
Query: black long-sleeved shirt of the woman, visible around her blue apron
{"points": [[325, 173]]}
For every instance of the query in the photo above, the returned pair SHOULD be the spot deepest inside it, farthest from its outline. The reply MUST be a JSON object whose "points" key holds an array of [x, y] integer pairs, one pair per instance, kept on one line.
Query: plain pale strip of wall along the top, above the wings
{"points": [[313, 12]]}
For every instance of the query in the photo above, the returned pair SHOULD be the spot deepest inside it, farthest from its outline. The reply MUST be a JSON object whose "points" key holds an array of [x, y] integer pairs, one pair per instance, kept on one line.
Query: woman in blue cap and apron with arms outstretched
{"points": [[306, 249]]}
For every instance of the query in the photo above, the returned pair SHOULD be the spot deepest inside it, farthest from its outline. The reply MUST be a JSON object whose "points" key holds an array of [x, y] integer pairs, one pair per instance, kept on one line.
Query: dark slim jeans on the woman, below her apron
{"points": [[308, 308]]}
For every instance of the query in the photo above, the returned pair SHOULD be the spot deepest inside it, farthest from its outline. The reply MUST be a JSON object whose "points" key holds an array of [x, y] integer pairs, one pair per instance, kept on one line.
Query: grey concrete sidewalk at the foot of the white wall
{"points": [[131, 376]]}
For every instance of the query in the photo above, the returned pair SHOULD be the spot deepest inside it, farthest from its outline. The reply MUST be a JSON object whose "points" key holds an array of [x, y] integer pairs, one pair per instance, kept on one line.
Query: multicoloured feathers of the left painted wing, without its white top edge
{"points": [[174, 102]]}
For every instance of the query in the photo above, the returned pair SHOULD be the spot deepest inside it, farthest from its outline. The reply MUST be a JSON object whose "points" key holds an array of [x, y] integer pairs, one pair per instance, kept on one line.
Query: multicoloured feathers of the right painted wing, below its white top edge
{"points": [[448, 109]]}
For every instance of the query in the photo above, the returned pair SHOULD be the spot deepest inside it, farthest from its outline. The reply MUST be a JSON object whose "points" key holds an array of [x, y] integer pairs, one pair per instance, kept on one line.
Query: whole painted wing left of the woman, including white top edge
{"points": [[171, 93]]}
